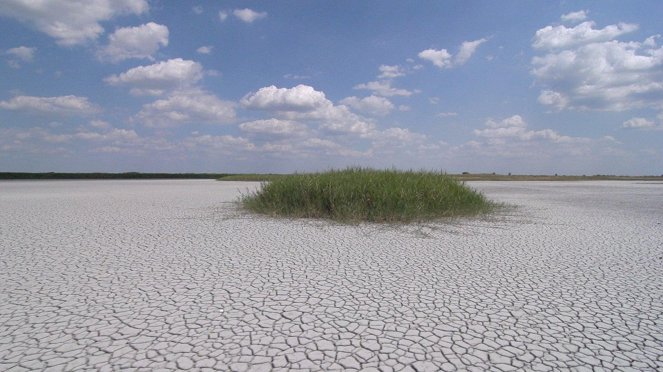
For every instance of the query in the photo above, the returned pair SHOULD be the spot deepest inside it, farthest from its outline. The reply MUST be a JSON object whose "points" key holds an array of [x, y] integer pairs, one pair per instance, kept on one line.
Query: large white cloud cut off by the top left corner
{"points": [[70, 22]]}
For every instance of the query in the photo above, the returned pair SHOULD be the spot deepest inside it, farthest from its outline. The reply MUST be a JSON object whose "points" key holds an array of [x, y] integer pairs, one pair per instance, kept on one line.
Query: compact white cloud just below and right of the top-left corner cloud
{"points": [[135, 42]]}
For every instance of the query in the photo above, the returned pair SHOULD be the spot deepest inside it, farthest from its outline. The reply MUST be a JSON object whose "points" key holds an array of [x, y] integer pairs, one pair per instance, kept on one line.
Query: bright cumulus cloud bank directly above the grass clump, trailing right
{"points": [[320, 125]]}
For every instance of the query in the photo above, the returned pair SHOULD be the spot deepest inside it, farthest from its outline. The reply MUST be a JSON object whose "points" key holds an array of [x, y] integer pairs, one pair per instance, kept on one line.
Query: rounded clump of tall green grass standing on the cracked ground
{"points": [[359, 194]]}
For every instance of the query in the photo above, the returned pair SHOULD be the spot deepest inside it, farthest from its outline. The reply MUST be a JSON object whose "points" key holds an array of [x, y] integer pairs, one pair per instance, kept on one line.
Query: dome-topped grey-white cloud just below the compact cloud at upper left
{"points": [[183, 107]]}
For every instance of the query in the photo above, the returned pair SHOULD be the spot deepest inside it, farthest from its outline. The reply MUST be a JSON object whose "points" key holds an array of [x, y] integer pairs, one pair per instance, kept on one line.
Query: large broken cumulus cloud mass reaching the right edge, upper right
{"points": [[586, 68]]}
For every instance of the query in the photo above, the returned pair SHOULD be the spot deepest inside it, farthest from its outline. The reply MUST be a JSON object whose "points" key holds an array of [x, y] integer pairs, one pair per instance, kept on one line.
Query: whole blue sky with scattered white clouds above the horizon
{"points": [[522, 87]]}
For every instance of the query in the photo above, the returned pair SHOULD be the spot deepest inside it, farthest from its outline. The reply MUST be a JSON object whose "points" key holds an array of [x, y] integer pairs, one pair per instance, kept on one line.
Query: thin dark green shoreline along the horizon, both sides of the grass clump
{"points": [[266, 177]]}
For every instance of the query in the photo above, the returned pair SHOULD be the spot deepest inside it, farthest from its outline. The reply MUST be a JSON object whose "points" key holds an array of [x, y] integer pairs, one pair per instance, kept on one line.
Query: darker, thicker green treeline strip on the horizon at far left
{"points": [[107, 176]]}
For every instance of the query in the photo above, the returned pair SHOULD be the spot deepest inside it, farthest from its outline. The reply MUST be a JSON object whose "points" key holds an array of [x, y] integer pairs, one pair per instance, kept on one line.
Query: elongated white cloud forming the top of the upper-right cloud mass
{"points": [[561, 37]]}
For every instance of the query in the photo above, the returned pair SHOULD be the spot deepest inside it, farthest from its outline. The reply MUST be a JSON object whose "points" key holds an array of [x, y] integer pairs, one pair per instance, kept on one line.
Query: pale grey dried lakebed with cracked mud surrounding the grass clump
{"points": [[120, 275]]}
